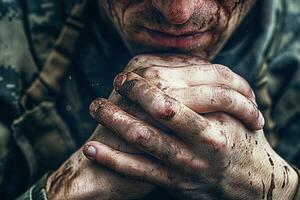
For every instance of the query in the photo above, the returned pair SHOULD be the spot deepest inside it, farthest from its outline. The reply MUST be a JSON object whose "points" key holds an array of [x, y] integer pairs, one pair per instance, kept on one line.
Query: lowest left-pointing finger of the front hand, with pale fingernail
{"points": [[130, 165]]}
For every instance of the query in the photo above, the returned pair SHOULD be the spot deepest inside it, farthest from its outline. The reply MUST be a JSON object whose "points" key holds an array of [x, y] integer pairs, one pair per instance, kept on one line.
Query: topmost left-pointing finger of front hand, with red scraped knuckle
{"points": [[167, 110]]}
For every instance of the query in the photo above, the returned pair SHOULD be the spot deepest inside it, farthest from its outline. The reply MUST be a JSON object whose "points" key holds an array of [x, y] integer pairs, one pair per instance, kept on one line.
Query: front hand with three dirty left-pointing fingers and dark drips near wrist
{"points": [[209, 157]]}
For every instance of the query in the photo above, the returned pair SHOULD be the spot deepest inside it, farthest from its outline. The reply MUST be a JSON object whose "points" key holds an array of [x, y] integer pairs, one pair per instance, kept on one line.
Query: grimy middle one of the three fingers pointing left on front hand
{"points": [[147, 138]]}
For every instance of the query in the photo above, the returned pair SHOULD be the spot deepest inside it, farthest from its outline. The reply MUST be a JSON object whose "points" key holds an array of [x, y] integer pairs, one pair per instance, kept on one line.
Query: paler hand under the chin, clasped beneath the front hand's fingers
{"points": [[201, 86]]}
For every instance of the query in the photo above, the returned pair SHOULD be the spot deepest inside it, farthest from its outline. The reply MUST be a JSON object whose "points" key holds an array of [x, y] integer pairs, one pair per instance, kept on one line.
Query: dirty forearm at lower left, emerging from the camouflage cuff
{"points": [[79, 178]]}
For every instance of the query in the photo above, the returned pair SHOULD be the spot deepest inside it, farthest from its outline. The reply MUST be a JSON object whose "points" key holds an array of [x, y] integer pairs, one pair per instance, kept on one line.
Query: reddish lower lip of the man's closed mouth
{"points": [[181, 41]]}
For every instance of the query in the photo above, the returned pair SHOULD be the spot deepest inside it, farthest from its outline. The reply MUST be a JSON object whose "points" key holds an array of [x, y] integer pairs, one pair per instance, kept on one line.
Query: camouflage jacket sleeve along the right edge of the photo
{"points": [[284, 84]]}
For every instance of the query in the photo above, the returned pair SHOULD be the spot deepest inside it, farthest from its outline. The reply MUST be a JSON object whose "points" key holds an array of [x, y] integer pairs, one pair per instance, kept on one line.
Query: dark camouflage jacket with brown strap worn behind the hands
{"points": [[38, 136]]}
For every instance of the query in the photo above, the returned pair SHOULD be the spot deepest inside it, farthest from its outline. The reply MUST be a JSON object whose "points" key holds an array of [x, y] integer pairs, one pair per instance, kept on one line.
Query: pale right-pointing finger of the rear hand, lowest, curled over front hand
{"points": [[216, 98]]}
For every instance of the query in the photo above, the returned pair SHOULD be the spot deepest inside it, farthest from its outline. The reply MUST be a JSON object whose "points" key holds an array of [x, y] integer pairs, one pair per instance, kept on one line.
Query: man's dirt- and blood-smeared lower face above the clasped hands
{"points": [[199, 27]]}
